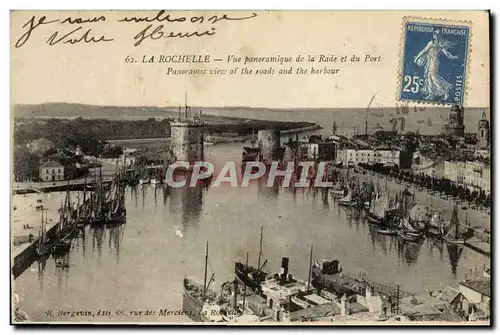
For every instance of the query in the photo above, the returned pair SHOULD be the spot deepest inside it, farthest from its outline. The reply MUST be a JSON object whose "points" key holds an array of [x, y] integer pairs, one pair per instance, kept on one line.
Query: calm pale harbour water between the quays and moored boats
{"points": [[131, 272]]}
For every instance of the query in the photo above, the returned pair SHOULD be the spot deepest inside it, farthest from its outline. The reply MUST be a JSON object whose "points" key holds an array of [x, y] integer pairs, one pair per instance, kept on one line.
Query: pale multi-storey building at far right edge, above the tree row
{"points": [[475, 175]]}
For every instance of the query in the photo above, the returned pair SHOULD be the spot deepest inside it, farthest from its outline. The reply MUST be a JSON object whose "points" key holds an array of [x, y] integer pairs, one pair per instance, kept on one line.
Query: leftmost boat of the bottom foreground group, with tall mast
{"points": [[196, 295]]}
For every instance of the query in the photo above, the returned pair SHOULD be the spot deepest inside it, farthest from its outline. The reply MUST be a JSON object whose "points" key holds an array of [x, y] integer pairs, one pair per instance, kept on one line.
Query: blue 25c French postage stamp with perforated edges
{"points": [[434, 62]]}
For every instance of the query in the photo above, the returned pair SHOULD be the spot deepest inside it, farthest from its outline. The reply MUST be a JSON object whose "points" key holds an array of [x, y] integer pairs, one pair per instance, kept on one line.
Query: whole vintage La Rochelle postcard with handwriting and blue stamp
{"points": [[250, 167]]}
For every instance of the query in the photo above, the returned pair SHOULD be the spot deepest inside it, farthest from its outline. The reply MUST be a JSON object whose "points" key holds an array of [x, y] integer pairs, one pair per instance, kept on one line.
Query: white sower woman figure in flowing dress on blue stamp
{"points": [[434, 84]]}
